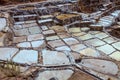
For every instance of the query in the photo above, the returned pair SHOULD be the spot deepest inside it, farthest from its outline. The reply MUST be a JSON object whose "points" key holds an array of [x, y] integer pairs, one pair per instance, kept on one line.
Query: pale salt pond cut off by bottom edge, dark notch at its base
{"points": [[59, 74]]}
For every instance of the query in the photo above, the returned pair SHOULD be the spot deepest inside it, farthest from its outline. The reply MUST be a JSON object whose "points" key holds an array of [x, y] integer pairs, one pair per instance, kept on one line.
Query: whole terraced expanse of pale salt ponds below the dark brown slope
{"points": [[43, 46]]}
